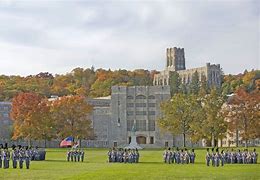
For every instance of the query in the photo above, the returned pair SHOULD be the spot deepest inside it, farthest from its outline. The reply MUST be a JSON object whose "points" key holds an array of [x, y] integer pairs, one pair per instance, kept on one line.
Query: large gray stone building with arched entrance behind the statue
{"points": [[113, 117]]}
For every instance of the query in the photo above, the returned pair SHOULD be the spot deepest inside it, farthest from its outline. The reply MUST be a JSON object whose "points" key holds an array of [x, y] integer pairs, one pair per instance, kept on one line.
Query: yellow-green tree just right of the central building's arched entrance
{"points": [[179, 114]]}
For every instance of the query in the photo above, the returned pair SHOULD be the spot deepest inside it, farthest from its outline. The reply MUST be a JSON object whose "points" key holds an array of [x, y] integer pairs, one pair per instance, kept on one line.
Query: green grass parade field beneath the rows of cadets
{"points": [[150, 167]]}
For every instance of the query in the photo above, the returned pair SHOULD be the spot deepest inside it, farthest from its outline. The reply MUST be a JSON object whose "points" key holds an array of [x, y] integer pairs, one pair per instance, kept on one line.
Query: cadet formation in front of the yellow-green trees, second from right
{"points": [[179, 156]]}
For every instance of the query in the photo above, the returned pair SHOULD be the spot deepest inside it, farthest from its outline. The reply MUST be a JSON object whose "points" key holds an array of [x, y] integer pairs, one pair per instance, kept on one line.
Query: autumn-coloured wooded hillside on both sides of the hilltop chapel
{"points": [[96, 83]]}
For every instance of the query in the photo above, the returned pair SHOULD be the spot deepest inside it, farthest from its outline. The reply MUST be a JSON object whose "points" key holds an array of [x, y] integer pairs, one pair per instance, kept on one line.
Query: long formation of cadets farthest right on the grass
{"points": [[231, 157]]}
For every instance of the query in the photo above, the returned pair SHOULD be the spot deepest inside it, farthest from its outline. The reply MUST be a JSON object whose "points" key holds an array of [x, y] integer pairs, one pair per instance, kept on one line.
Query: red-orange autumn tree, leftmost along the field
{"points": [[23, 113]]}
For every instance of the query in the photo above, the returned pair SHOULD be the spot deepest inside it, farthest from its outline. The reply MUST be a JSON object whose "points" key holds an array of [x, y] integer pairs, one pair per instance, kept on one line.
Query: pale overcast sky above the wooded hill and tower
{"points": [[58, 36]]}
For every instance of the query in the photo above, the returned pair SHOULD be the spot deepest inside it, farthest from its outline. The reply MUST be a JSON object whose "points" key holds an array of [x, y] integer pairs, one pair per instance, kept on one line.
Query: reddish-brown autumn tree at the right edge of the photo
{"points": [[242, 113]]}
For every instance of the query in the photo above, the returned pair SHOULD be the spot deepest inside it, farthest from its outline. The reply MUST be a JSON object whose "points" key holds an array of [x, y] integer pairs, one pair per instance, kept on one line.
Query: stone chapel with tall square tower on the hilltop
{"points": [[175, 61]]}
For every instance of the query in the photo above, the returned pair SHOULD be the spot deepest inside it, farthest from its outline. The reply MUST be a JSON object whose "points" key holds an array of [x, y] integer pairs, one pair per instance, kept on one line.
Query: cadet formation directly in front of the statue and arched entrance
{"points": [[123, 155]]}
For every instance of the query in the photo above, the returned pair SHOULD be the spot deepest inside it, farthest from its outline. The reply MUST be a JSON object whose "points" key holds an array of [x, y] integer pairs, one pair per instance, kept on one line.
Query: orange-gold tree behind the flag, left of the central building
{"points": [[72, 117]]}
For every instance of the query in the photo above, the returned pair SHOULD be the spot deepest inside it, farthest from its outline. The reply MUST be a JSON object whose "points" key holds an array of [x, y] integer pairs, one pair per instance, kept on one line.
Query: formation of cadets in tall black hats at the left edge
{"points": [[18, 156]]}
